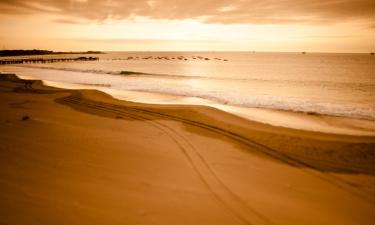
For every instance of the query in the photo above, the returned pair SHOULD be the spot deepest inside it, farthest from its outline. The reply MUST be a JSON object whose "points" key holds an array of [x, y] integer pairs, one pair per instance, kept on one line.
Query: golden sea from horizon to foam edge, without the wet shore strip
{"points": [[335, 85]]}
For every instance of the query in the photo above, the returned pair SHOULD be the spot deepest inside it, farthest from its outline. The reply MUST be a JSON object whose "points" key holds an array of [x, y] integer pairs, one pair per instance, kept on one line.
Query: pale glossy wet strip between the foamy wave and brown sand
{"points": [[281, 118]]}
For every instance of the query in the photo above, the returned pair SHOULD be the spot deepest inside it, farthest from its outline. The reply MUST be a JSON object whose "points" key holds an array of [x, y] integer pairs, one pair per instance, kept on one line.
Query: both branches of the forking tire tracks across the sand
{"points": [[222, 193]]}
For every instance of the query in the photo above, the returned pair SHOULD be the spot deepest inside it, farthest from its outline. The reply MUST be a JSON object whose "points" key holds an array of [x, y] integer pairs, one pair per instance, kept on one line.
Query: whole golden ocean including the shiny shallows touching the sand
{"points": [[338, 86]]}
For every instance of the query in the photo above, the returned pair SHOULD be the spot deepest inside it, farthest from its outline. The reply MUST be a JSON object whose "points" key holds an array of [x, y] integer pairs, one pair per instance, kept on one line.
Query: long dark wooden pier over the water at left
{"points": [[45, 60]]}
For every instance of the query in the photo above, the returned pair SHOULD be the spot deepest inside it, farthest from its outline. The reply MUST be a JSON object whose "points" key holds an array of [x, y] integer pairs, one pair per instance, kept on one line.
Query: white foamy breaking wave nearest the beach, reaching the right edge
{"points": [[273, 102]]}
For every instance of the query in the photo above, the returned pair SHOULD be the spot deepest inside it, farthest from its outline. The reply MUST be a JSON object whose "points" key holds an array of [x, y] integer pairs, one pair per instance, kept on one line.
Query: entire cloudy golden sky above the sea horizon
{"points": [[189, 25]]}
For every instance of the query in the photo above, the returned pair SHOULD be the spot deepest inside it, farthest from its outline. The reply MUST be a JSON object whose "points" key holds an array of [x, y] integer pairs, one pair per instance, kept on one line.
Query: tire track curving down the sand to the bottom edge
{"points": [[230, 201]]}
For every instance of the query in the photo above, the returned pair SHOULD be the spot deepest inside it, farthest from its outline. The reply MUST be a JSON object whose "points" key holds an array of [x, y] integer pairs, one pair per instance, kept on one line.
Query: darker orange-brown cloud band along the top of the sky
{"points": [[208, 11]]}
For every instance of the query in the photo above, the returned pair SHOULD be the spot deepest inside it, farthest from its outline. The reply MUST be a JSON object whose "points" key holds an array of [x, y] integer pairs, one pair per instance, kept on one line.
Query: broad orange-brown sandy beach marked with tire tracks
{"points": [[82, 157]]}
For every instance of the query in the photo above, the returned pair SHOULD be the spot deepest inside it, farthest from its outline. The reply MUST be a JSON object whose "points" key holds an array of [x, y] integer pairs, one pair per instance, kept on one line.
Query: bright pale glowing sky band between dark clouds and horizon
{"points": [[141, 33]]}
